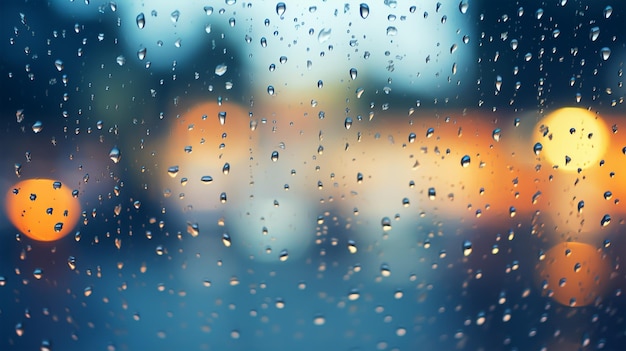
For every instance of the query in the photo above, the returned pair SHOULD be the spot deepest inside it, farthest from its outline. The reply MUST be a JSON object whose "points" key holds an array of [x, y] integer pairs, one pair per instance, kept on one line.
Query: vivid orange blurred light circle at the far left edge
{"points": [[42, 209]]}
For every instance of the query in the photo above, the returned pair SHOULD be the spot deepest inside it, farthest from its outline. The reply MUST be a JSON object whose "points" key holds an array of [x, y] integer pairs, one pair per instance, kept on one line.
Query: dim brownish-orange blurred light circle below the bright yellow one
{"points": [[576, 273]]}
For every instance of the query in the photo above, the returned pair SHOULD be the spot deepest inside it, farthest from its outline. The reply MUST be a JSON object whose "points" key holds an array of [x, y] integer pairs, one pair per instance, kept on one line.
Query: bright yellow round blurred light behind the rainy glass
{"points": [[571, 138]]}
